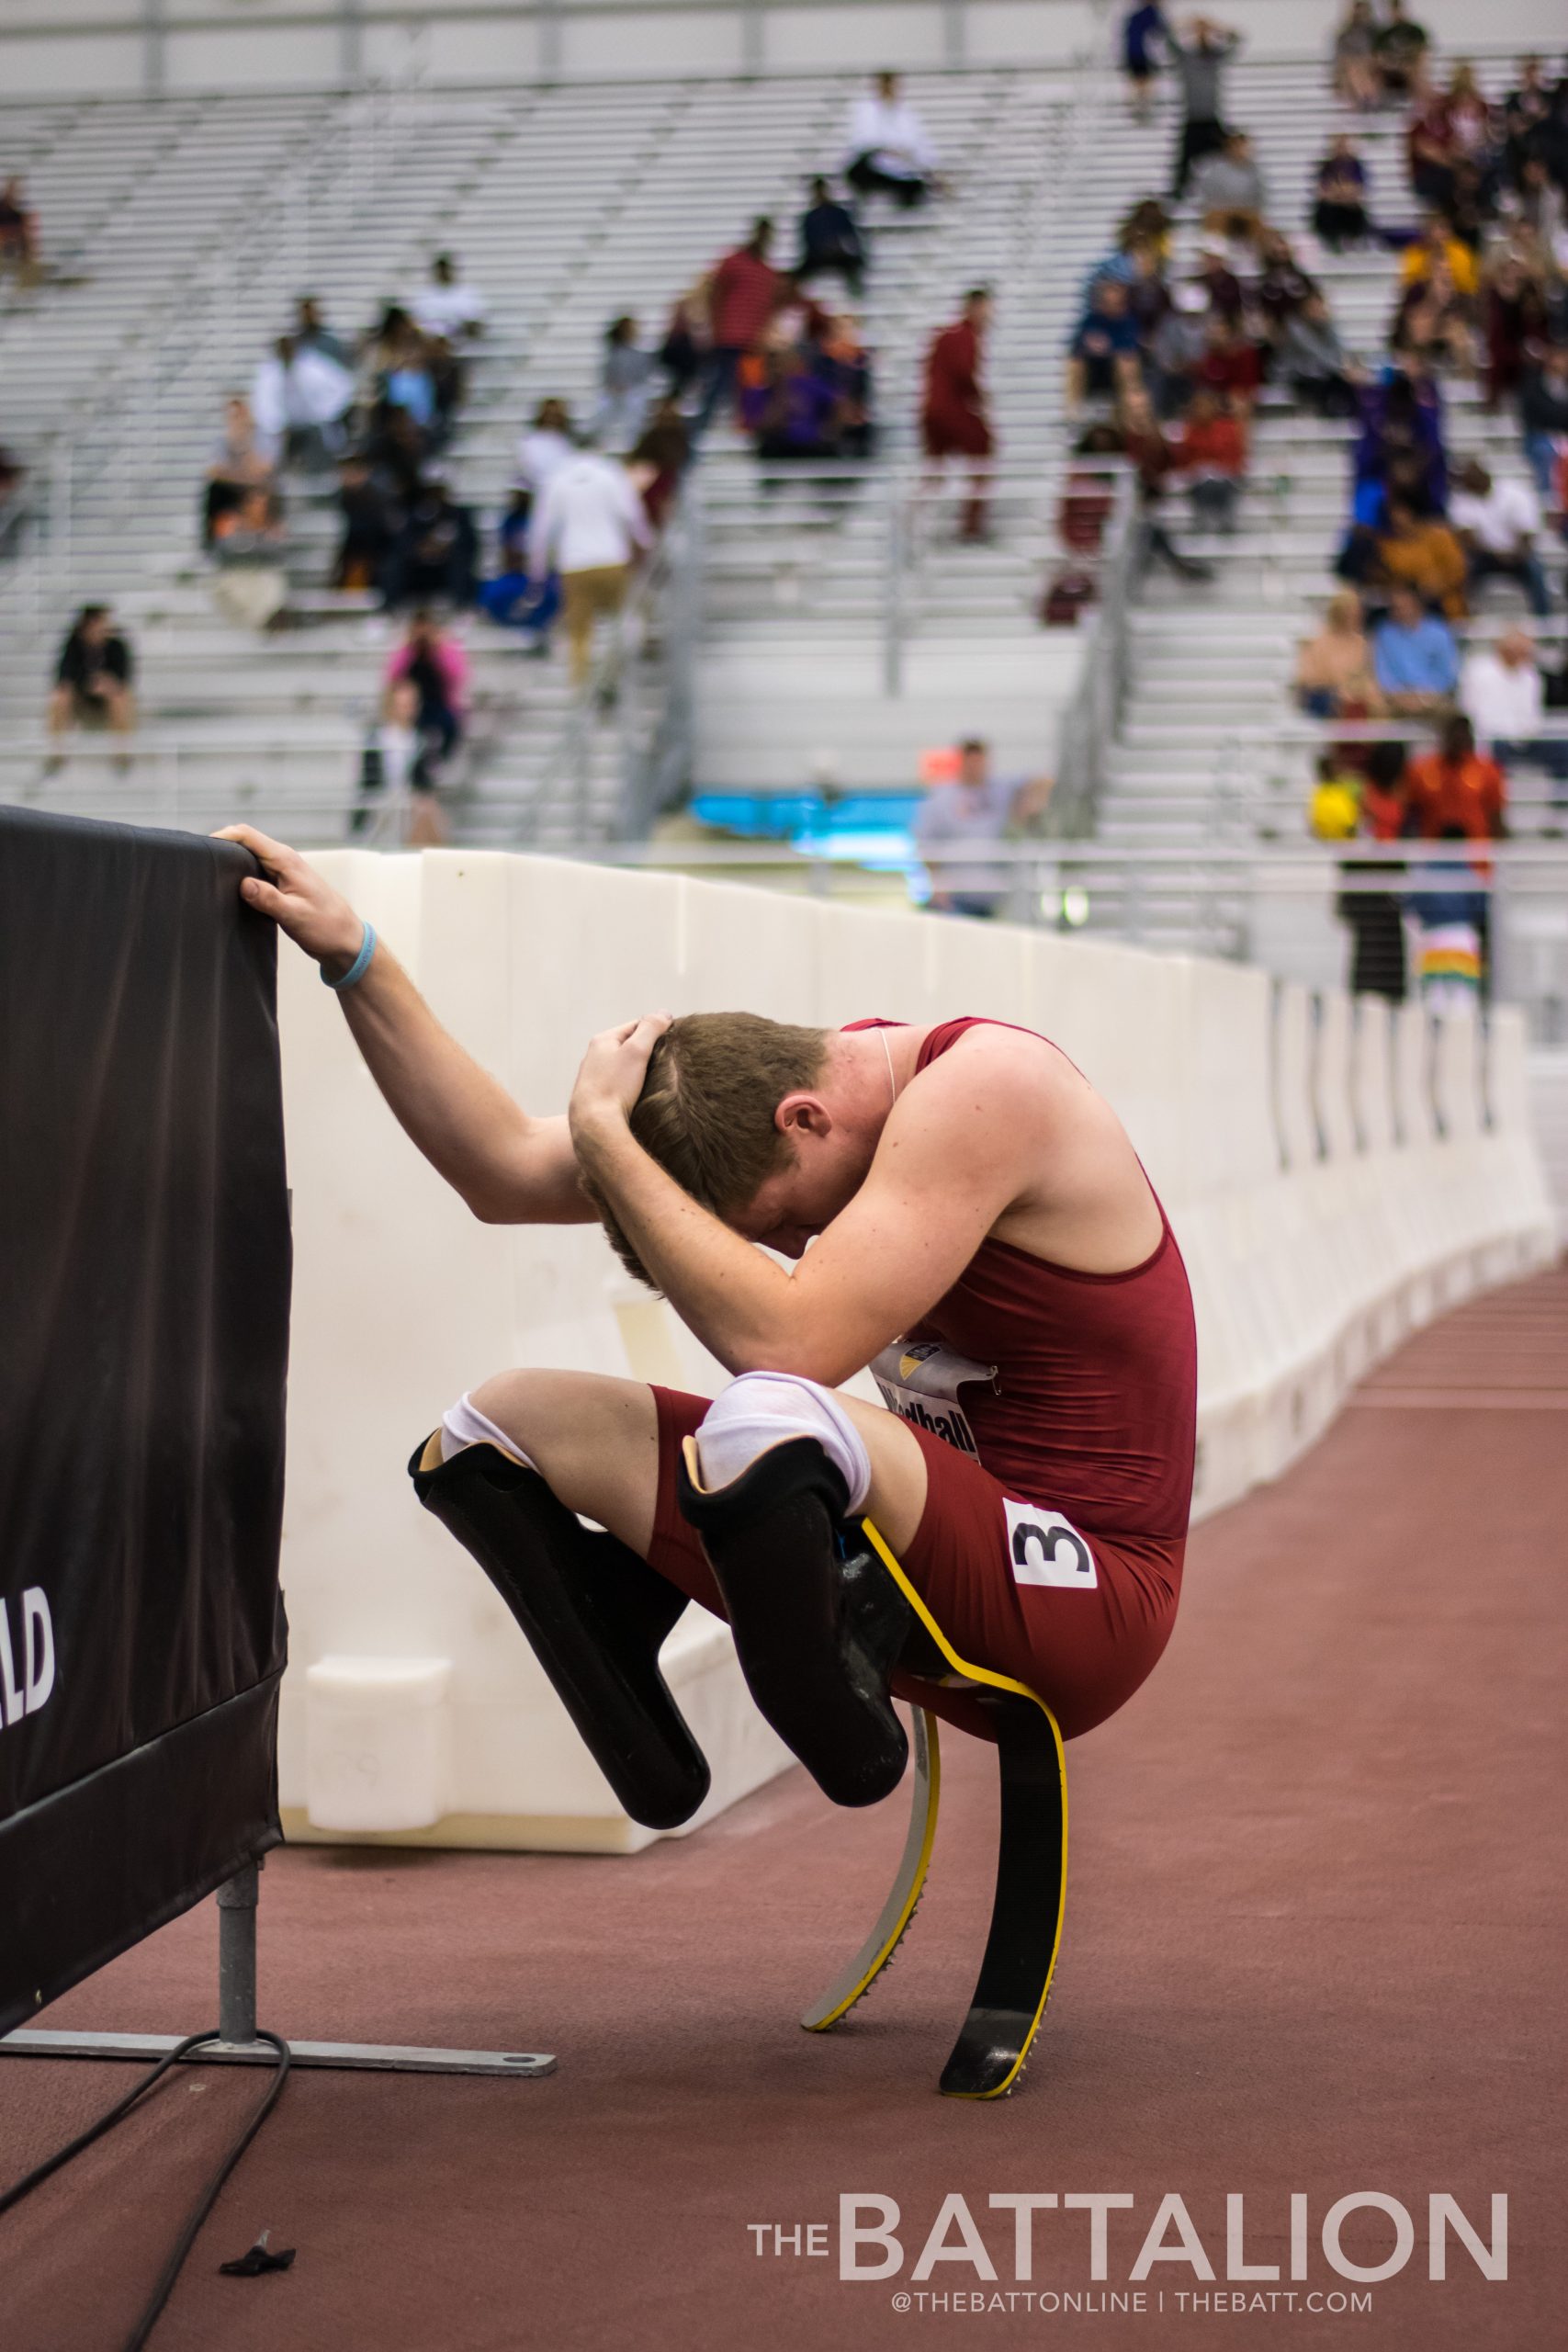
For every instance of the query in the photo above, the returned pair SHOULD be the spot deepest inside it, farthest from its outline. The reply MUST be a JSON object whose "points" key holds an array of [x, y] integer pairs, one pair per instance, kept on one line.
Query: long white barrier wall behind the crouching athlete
{"points": [[1334, 1177]]}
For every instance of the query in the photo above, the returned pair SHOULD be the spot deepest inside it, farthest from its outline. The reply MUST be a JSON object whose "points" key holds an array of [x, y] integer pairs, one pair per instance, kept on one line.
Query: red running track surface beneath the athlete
{"points": [[1315, 1942]]}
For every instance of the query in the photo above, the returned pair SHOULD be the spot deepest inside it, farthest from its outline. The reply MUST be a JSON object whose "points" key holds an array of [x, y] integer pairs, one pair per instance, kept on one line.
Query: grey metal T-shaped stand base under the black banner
{"points": [[239, 2022]]}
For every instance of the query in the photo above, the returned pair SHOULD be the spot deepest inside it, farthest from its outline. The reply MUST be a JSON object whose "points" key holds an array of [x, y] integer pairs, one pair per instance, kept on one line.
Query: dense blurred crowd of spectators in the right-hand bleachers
{"points": [[1170, 368]]}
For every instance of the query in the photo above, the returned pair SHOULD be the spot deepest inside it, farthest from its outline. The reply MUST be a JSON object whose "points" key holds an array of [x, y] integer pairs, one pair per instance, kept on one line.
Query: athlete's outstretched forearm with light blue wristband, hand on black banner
{"points": [[511, 1170]]}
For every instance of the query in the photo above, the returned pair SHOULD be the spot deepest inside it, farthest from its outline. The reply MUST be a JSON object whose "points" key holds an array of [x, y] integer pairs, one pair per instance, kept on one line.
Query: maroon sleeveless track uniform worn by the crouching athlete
{"points": [[1092, 1417]]}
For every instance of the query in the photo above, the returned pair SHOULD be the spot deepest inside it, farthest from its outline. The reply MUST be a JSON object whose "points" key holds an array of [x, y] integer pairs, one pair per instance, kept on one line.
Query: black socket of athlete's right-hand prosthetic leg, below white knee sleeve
{"points": [[817, 1619]]}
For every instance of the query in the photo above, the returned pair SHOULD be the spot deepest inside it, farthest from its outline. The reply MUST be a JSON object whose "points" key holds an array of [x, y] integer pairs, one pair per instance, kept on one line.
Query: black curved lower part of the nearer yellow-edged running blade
{"points": [[1028, 1906]]}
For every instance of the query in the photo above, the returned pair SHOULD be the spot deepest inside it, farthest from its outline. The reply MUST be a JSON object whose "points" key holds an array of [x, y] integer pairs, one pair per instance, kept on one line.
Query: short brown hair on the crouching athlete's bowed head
{"points": [[706, 1111]]}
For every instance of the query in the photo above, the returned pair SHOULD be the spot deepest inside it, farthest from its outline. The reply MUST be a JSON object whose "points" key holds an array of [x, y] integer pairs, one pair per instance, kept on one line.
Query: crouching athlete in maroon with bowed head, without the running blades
{"points": [[981, 1236]]}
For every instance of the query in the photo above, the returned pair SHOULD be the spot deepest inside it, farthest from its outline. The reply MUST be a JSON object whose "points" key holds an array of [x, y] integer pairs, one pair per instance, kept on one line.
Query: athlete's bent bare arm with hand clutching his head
{"points": [[956, 1154]]}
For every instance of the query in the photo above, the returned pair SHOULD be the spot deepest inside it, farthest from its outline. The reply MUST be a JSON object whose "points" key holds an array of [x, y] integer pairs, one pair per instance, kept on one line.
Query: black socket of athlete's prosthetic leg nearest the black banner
{"points": [[594, 1612]]}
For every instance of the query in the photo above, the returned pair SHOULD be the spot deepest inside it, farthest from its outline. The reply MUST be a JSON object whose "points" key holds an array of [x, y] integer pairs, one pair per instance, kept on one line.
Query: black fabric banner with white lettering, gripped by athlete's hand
{"points": [[145, 1330]]}
